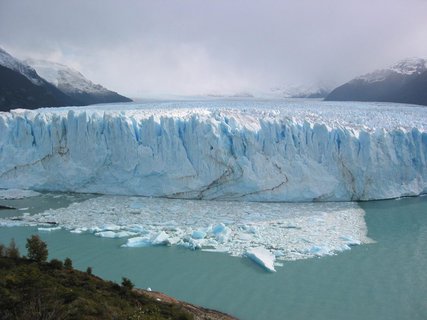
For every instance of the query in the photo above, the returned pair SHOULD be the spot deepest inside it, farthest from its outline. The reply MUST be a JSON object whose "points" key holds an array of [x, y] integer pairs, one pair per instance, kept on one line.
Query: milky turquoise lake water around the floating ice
{"points": [[383, 280]]}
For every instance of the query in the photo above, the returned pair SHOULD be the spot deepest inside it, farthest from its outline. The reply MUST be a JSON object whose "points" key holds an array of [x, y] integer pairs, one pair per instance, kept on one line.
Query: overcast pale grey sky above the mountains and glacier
{"points": [[189, 47]]}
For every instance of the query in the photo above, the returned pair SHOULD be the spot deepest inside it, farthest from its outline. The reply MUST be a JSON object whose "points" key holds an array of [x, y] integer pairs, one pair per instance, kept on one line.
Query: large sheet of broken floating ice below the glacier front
{"points": [[264, 232]]}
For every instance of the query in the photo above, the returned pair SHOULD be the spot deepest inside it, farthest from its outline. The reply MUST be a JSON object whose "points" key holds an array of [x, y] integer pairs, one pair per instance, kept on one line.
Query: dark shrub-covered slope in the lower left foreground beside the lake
{"points": [[51, 290]]}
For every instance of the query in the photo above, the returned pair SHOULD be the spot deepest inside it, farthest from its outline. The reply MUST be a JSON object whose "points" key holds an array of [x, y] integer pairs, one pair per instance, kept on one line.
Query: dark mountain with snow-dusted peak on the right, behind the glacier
{"points": [[404, 82]]}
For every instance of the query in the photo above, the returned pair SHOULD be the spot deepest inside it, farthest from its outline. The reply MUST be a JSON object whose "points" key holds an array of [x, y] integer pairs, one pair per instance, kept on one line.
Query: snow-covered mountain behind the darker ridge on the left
{"points": [[73, 83]]}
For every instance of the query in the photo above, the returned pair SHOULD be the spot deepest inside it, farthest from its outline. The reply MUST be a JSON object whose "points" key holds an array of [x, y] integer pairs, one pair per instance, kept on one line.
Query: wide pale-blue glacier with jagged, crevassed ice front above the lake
{"points": [[293, 153]]}
